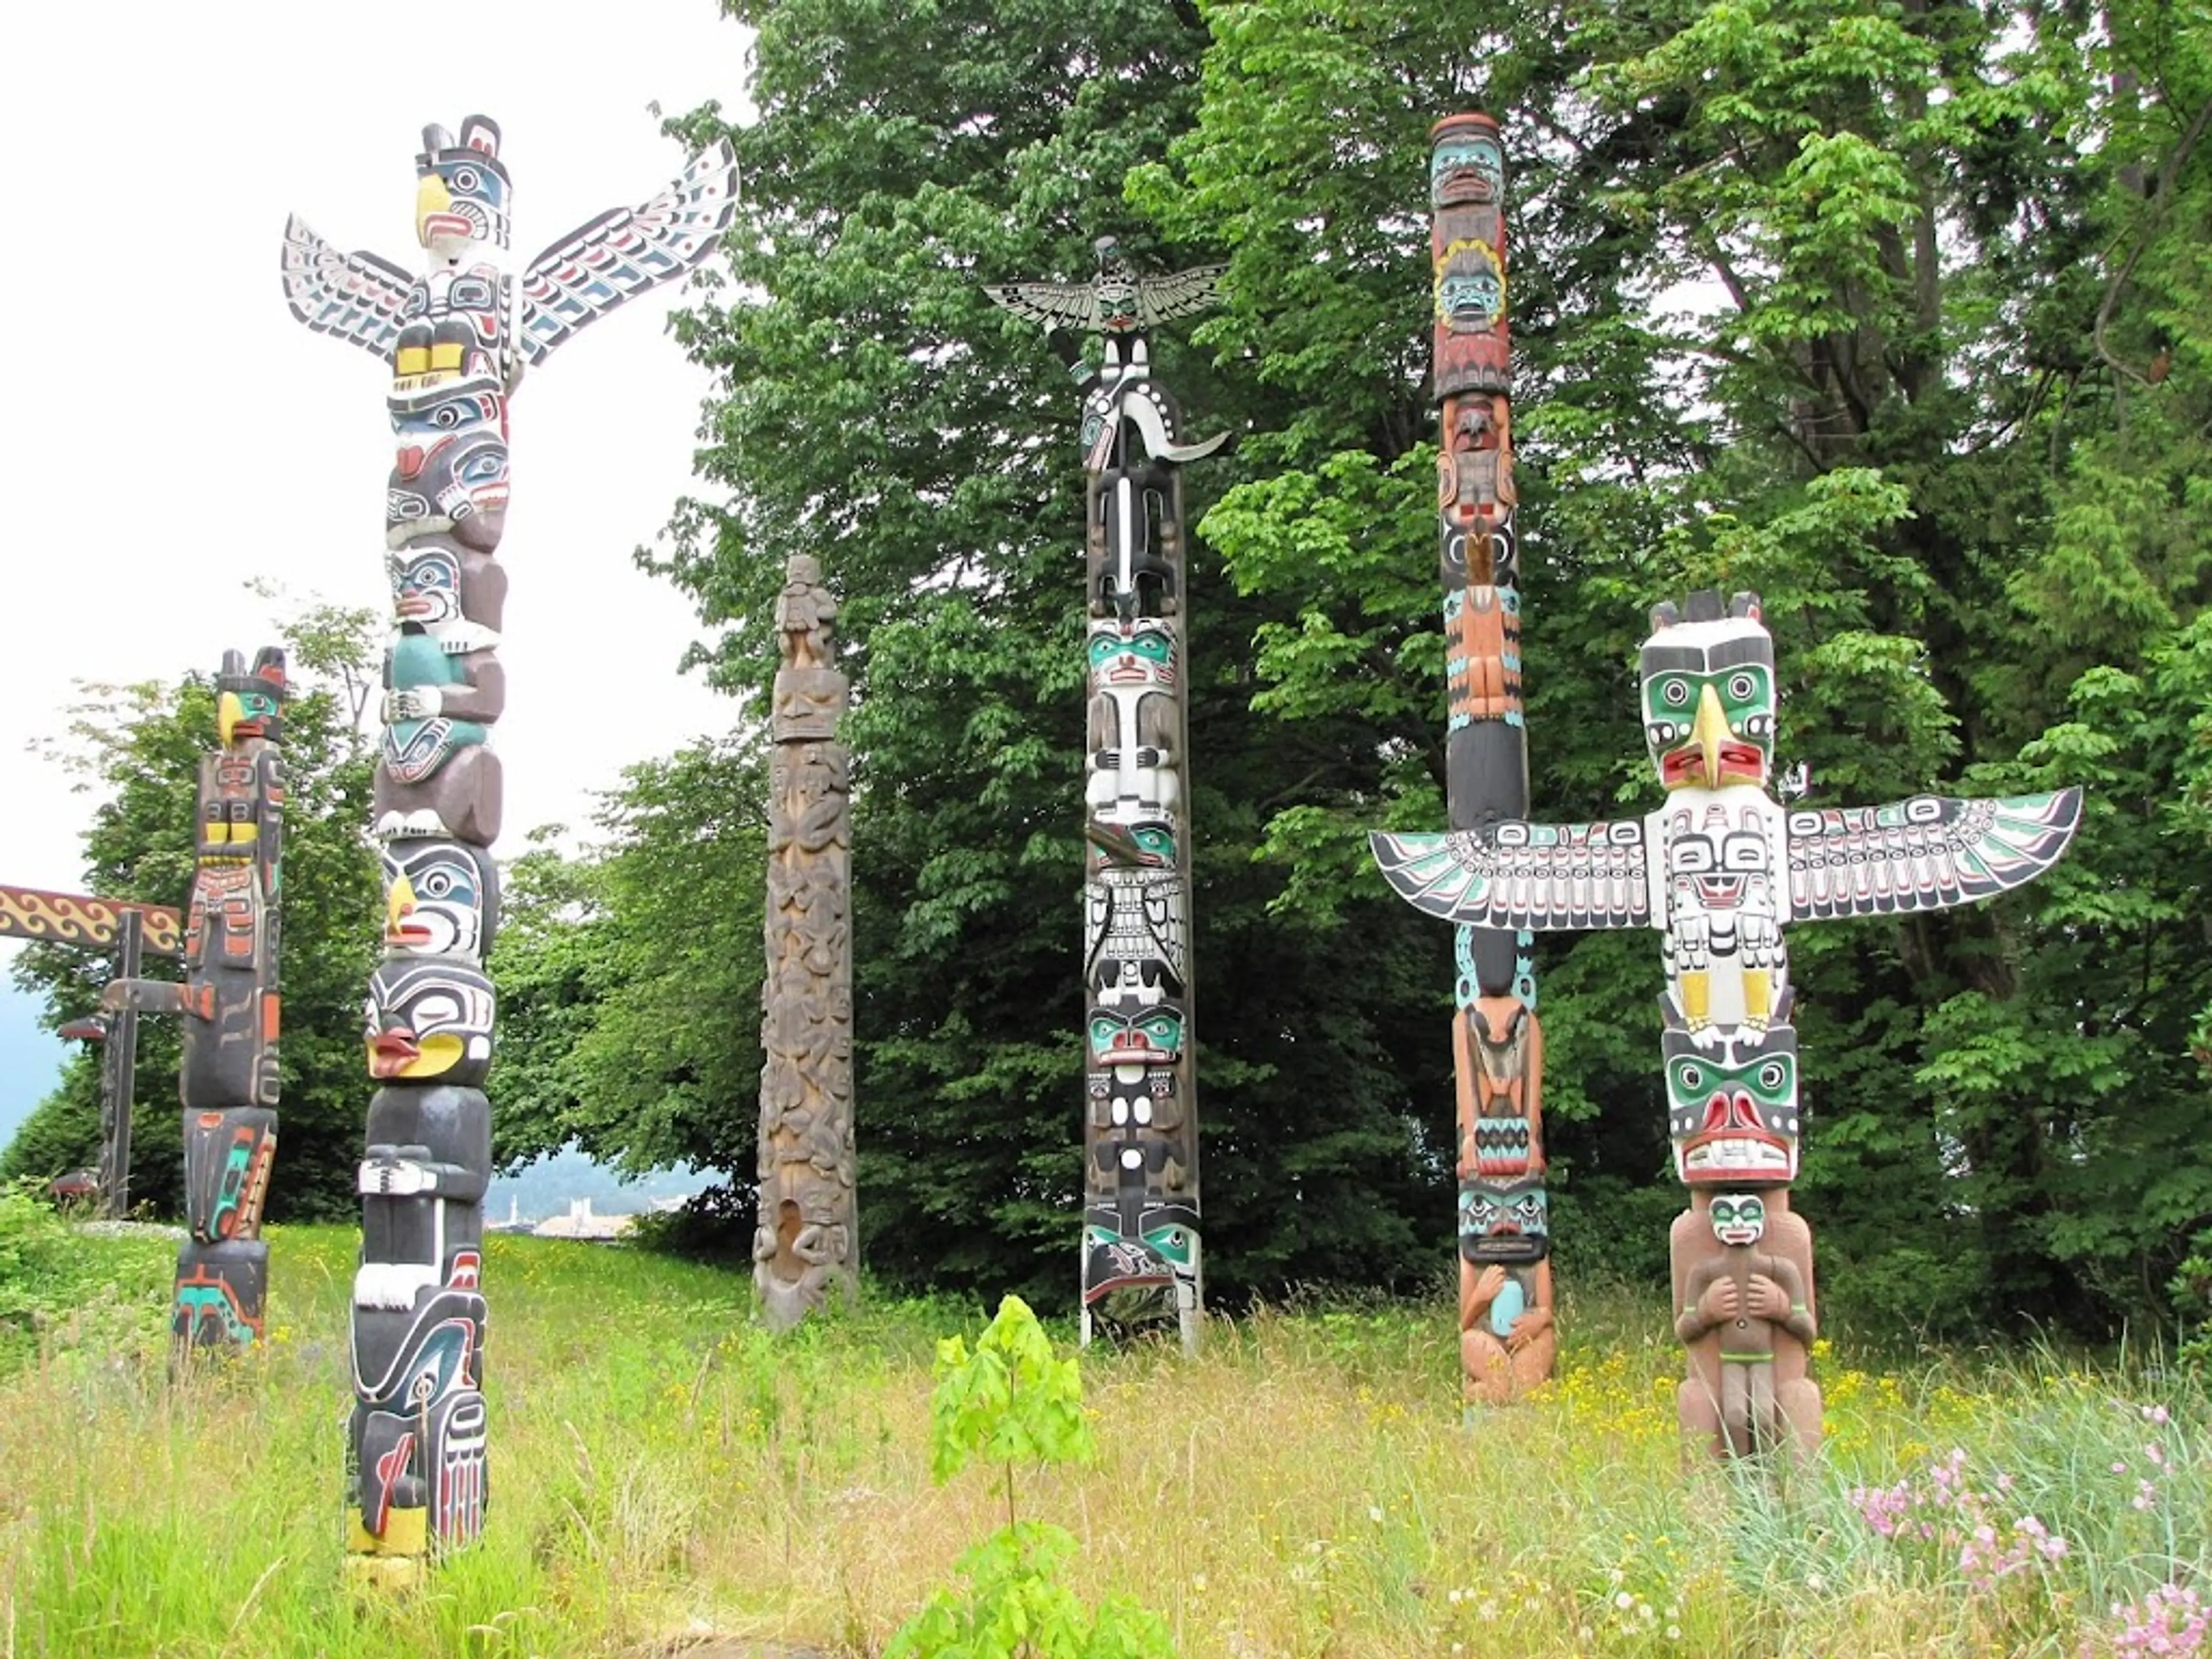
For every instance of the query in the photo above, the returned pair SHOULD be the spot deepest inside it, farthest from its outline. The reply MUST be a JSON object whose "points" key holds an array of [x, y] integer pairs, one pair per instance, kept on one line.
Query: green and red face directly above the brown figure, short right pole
{"points": [[1733, 1109]]}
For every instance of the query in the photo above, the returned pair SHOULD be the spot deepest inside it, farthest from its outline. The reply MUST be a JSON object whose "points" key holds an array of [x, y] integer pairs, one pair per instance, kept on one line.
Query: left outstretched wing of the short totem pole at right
{"points": [[1547, 877]]}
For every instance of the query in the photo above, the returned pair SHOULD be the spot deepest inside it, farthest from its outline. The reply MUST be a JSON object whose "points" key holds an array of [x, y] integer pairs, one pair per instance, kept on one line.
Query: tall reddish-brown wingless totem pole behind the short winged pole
{"points": [[1507, 1337]]}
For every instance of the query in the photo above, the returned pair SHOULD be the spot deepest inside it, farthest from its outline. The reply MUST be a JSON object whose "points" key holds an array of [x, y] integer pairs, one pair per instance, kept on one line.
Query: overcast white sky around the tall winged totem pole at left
{"points": [[176, 432]]}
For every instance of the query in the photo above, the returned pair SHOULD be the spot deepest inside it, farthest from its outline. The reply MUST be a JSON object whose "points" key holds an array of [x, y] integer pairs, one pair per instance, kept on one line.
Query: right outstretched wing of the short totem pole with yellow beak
{"points": [[1926, 853]]}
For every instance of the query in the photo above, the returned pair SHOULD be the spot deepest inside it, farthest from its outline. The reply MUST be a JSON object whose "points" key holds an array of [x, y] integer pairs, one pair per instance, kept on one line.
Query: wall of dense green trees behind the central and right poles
{"points": [[1895, 313]]}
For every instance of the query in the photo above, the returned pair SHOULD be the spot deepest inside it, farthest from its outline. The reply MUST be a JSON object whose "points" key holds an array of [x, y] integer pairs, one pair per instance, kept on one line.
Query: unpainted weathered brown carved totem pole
{"points": [[808, 1242]]}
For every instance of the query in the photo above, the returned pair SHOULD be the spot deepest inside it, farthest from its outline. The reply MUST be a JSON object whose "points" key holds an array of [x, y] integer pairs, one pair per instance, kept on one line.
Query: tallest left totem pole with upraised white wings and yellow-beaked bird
{"points": [[457, 340]]}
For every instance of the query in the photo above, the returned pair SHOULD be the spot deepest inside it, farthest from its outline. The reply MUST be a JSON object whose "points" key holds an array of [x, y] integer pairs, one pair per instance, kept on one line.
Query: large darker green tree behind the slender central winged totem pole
{"points": [[884, 417]]}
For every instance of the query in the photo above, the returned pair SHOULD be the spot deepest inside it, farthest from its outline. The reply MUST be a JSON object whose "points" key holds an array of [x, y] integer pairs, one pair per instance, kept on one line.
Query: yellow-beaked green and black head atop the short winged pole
{"points": [[1709, 702]]}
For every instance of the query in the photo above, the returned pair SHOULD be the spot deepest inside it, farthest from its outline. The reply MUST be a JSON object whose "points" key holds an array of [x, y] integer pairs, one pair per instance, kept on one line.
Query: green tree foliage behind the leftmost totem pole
{"points": [[140, 747]]}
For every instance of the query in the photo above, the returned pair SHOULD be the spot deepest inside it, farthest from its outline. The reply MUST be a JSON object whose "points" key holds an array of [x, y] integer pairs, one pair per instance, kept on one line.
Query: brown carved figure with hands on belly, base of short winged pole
{"points": [[1749, 1322]]}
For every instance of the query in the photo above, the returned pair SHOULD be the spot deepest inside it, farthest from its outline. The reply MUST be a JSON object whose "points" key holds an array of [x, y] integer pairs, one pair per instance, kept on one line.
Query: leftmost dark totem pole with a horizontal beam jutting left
{"points": [[231, 1012]]}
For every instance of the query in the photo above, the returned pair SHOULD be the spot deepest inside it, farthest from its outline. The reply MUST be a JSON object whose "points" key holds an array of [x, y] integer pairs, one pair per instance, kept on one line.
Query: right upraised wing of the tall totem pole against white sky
{"points": [[627, 251]]}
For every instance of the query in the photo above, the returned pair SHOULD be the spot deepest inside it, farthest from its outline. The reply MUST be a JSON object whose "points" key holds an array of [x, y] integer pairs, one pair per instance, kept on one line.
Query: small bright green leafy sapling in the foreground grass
{"points": [[1014, 1404]]}
